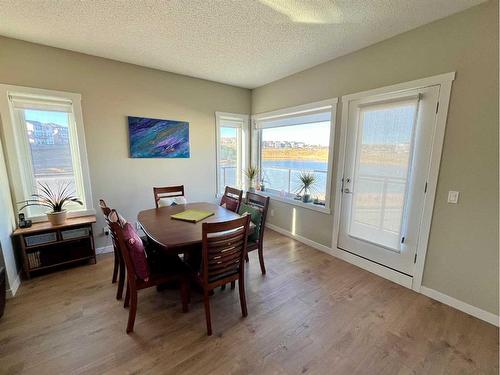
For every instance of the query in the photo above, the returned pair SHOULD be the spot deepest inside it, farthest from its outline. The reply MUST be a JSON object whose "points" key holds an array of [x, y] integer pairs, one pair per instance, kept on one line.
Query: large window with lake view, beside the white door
{"points": [[295, 143]]}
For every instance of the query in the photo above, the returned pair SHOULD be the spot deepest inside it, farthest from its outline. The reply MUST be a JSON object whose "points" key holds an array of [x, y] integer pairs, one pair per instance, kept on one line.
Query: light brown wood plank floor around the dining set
{"points": [[311, 313]]}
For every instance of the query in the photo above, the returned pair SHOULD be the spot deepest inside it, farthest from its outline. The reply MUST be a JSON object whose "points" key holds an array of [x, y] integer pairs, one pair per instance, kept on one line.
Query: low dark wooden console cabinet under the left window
{"points": [[44, 246]]}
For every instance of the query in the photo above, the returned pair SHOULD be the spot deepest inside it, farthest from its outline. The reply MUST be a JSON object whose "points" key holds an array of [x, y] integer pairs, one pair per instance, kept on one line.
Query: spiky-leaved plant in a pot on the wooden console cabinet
{"points": [[55, 200]]}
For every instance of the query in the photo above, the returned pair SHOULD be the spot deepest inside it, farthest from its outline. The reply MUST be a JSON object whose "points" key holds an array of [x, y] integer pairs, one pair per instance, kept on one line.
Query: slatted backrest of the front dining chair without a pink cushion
{"points": [[224, 250]]}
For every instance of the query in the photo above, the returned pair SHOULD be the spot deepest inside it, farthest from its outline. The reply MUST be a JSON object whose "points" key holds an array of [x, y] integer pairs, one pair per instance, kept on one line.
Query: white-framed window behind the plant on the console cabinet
{"points": [[45, 145]]}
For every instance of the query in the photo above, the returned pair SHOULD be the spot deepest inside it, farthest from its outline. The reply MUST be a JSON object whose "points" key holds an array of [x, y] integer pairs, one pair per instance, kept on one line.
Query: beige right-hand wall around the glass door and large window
{"points": [[463, 254]]}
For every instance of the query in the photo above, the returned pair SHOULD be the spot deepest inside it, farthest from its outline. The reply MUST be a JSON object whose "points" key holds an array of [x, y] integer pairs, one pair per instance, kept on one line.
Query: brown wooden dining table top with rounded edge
{"points": [[174, 236]]}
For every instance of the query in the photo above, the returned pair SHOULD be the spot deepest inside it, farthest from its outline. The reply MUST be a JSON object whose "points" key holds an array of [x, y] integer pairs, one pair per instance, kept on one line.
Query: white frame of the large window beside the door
{"points": [[290, 112]]}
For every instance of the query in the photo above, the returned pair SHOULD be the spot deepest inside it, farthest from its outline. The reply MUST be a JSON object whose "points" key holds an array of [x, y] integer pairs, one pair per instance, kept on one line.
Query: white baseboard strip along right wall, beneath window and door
{"points": [[393, 276]]}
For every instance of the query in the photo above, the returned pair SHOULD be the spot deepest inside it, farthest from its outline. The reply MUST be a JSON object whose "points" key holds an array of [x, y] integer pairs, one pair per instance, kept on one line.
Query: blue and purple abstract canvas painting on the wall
{"points": [[154, 138]]}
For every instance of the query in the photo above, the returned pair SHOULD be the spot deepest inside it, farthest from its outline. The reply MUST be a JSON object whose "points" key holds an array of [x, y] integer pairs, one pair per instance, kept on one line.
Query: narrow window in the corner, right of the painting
{"points": [[232, 150]]}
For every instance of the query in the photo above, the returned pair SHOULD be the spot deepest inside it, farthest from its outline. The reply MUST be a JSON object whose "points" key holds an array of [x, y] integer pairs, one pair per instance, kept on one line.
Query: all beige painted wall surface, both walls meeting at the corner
{"points": [[462, 259]]}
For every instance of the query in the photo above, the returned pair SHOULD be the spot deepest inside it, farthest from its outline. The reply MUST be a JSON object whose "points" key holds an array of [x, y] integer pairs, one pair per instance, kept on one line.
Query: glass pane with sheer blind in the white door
{"points": [[382, 166]]}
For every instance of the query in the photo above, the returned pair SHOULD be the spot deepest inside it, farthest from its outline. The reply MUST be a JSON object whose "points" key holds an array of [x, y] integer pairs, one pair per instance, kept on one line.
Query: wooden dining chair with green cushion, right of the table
{"points": [[256, 206]]}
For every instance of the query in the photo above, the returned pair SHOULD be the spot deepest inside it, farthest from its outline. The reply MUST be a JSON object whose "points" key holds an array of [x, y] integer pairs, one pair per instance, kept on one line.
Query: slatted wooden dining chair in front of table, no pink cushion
{"points": [[223, 253]]}
